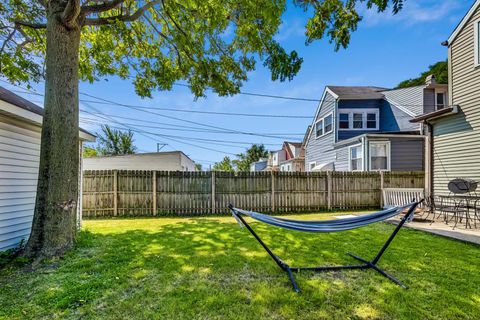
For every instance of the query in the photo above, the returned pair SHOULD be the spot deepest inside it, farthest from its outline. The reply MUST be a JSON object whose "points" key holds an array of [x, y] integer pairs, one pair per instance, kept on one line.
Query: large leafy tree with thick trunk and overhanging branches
{"points": [[158, 42]]}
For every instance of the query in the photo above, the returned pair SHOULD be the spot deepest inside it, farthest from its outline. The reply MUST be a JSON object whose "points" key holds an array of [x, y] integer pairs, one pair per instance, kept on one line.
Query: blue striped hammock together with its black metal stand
{"points": [[329, 226]]}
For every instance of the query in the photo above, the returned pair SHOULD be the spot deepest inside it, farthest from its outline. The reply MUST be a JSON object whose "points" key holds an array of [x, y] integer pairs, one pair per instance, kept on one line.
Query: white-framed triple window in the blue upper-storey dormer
{"points": [[358, 119]]}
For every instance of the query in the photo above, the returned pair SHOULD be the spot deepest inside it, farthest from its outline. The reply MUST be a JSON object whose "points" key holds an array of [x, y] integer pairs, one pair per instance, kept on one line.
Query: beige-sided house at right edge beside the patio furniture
{"points": [[454, 131]]}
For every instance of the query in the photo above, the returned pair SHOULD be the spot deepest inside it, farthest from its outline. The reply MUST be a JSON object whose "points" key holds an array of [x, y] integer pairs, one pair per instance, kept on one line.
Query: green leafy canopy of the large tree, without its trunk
{"points": [[155, 43]]}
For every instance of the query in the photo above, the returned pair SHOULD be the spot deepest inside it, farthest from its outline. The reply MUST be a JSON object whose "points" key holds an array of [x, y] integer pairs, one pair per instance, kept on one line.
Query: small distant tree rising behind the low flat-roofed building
{"points": [[113, 142]]}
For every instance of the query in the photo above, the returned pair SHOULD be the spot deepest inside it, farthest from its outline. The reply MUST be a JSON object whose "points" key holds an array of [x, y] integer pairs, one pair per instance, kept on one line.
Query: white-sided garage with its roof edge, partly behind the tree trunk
{"points": [[20, 131]]}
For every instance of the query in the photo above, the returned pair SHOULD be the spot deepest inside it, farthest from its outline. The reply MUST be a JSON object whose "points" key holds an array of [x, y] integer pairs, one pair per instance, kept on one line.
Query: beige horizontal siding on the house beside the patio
{"points": [[457, 138]]}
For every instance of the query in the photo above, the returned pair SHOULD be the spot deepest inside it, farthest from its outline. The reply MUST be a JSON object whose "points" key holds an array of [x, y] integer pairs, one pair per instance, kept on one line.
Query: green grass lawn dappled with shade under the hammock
{"points": [[209, 268]]}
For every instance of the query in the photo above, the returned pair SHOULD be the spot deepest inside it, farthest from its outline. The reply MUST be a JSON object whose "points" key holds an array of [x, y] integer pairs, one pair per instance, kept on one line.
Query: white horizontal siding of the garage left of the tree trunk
{"points": [[19, 161]]}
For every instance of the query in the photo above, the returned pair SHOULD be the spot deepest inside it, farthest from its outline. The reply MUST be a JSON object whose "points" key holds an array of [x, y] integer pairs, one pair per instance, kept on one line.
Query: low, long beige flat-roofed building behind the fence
{"points": [[160, 161]]}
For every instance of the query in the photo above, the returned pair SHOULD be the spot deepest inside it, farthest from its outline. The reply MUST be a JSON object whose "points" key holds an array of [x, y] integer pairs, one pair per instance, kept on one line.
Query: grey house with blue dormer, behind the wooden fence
{"points": [[368, 128]]}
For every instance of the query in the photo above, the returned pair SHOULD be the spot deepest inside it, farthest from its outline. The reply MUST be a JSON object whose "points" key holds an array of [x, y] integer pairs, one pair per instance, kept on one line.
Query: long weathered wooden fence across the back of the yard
{"points": [[156, 193]]}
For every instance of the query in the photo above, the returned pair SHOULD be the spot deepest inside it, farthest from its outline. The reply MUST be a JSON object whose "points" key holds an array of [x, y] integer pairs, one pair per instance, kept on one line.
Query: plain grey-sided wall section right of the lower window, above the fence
{"points": [[407, 154]]}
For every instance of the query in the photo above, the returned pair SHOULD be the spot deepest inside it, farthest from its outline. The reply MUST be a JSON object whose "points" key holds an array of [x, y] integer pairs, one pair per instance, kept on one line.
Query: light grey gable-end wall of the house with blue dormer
{"points": [[321, 150]]}
